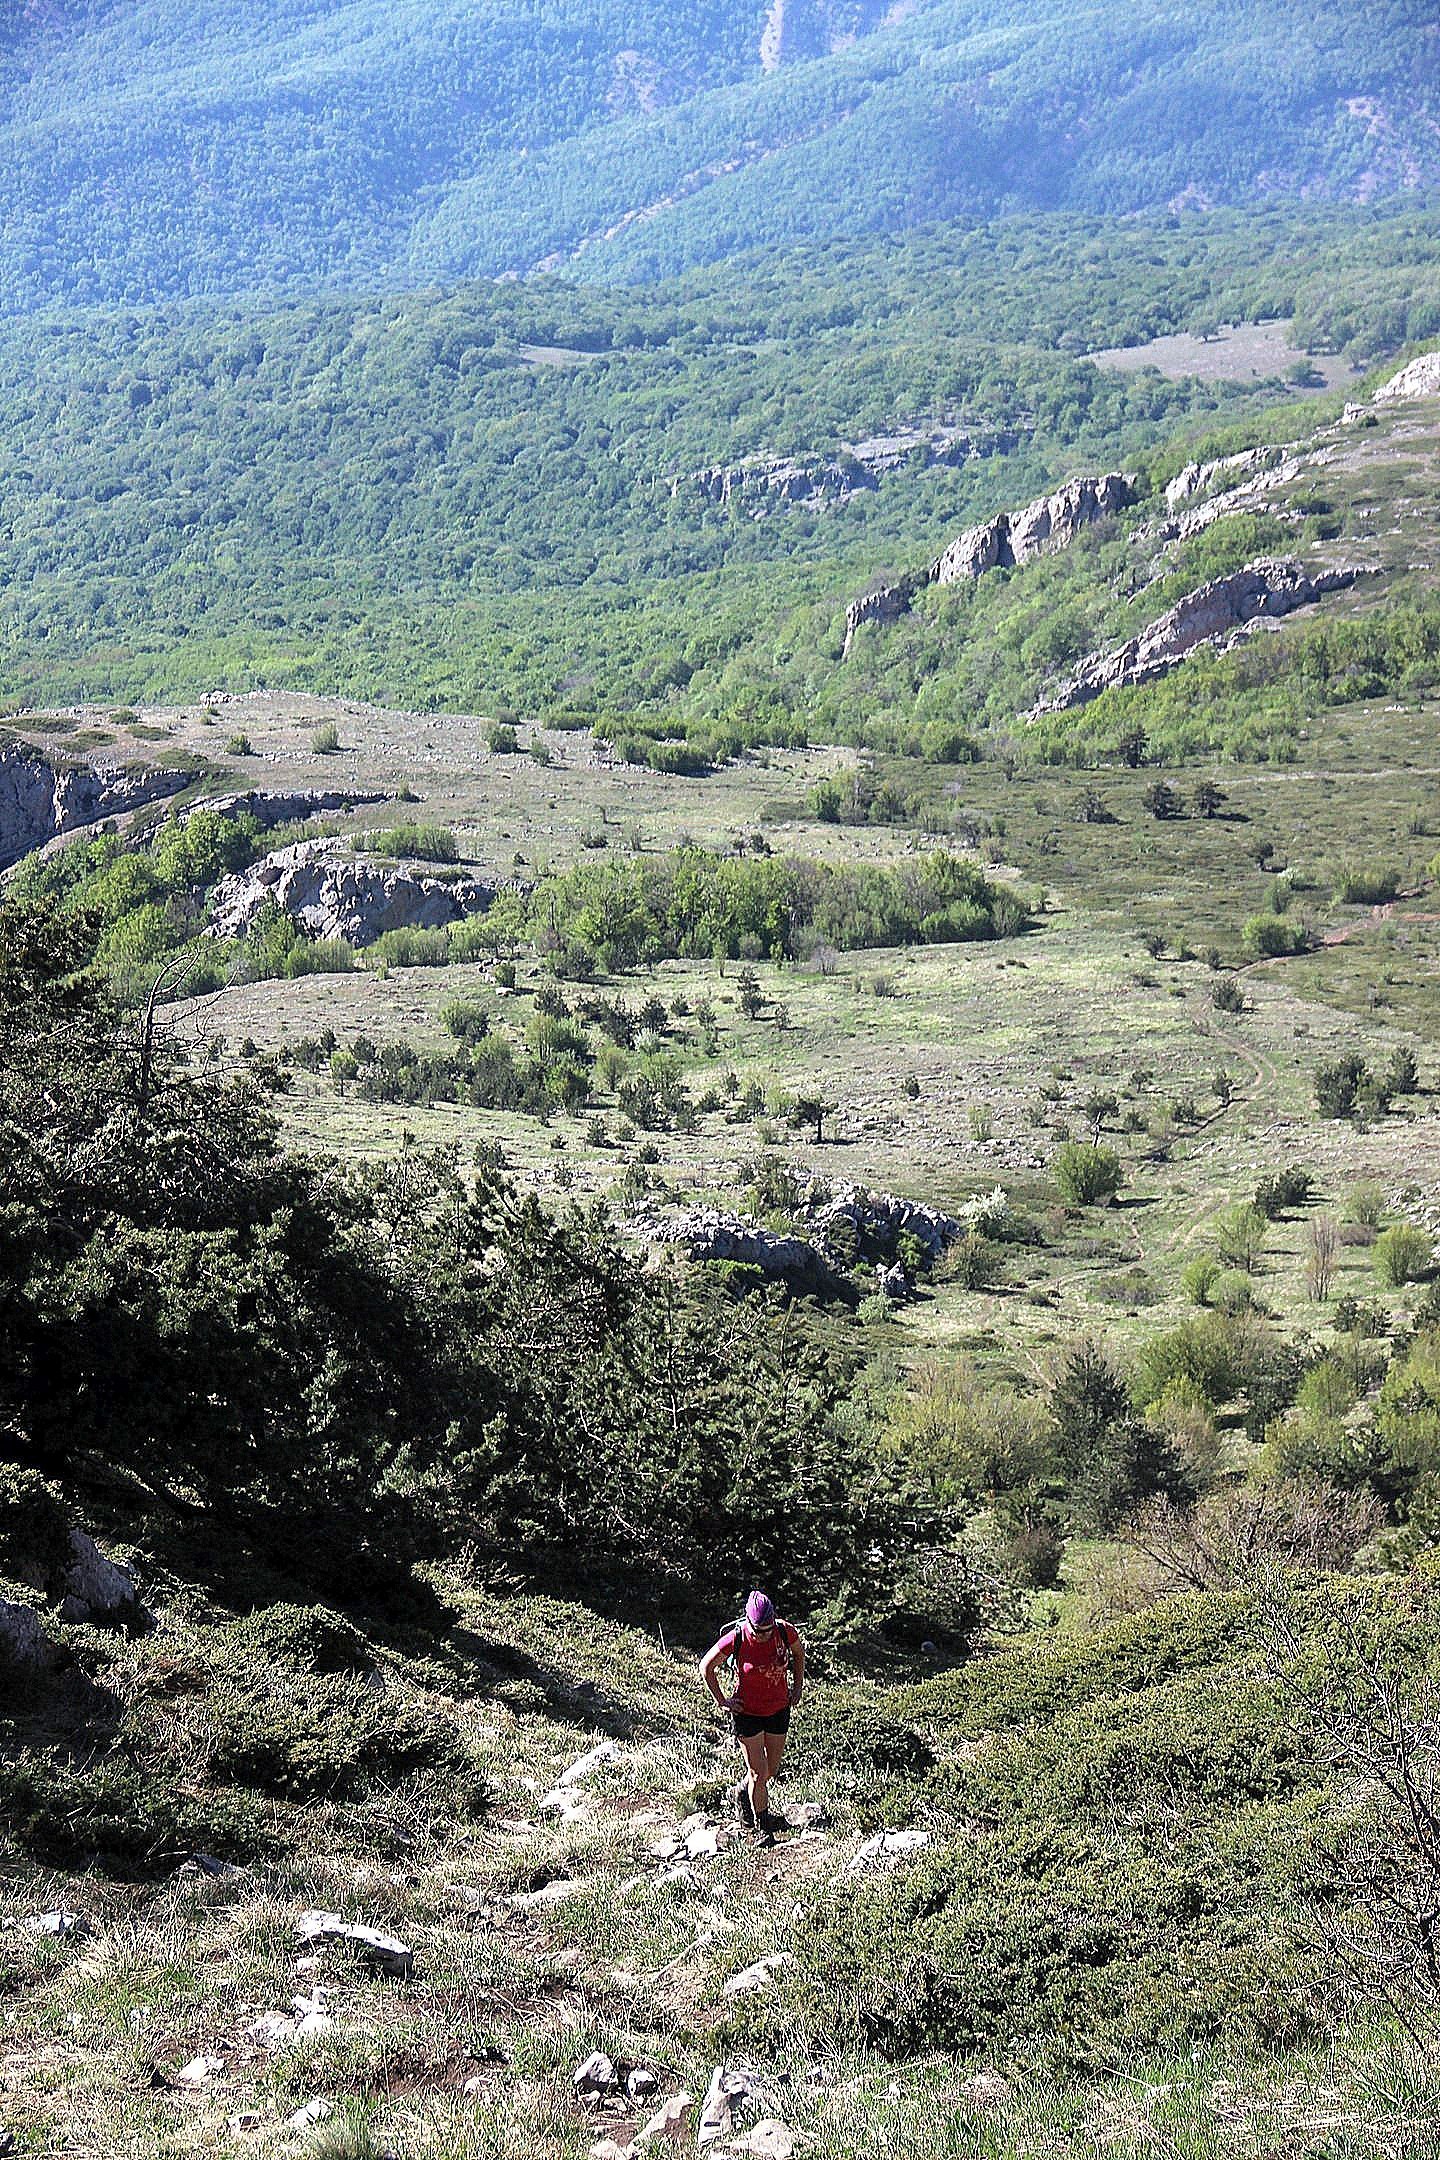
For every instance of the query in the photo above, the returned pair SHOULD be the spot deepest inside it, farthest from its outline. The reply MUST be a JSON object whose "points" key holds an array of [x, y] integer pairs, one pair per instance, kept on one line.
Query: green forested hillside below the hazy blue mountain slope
{"points": [[493, 494]]}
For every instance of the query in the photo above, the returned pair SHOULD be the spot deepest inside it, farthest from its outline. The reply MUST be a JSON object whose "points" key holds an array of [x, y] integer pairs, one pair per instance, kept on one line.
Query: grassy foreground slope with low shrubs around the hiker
{"points": [[1042, 1770]]}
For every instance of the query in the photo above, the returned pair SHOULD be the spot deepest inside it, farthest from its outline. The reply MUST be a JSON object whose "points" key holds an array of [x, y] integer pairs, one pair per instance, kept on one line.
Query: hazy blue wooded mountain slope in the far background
{"points": [[157, 150]]}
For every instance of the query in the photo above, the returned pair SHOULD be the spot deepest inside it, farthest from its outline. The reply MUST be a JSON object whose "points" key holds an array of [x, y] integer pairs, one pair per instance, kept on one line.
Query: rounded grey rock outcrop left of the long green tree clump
{"points": [[331, 893]]}
